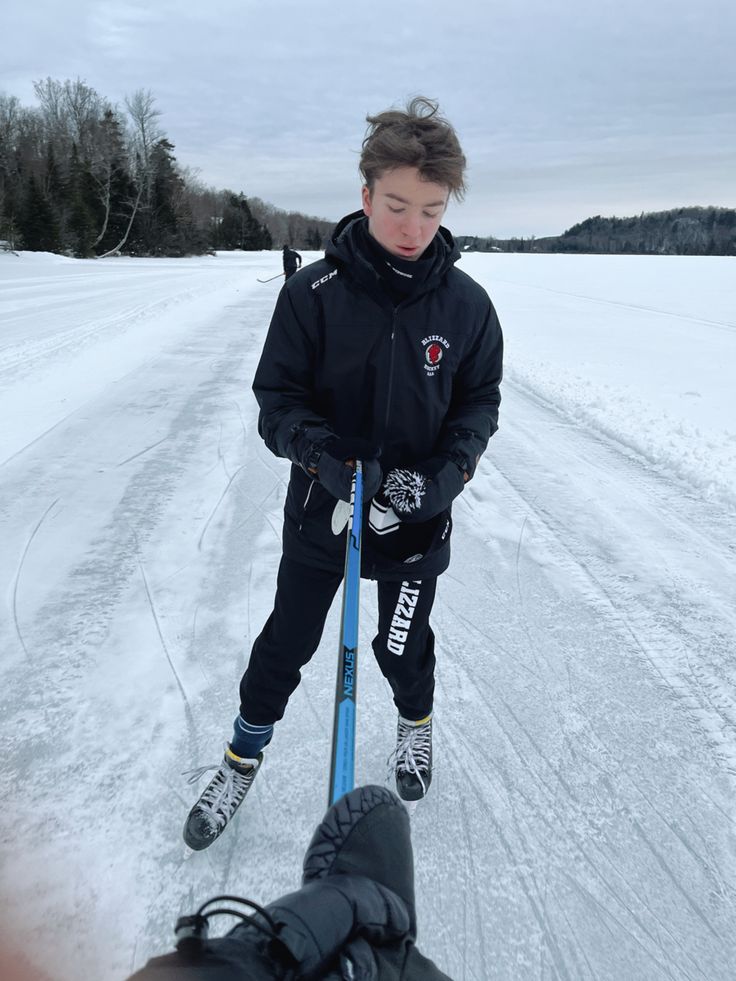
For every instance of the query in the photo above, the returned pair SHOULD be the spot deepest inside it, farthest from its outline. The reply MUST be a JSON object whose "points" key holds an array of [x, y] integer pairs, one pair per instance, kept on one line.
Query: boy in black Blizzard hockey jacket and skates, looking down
{"points": [[382, 351]]}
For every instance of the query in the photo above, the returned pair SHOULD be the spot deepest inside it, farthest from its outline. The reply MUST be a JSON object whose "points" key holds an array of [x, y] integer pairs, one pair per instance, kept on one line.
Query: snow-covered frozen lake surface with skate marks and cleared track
{"points": [[580, 822]]}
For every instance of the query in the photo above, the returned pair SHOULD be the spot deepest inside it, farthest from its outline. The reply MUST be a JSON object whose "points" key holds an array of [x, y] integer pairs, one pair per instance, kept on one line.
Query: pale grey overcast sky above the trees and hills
{"points": [[565, 109]]}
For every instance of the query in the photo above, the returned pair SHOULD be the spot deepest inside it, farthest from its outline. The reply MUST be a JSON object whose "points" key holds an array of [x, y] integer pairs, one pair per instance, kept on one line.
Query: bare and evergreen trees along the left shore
{"points": [[81, 176]]}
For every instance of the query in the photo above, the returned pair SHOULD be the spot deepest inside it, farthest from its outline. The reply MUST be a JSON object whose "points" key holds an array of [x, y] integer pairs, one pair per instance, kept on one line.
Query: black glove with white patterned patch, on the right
{"points": [[419, 493]]}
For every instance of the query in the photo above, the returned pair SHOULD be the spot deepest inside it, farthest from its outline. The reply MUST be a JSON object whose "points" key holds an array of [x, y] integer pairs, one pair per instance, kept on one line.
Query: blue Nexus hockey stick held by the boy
{"points": [[342, 766]]}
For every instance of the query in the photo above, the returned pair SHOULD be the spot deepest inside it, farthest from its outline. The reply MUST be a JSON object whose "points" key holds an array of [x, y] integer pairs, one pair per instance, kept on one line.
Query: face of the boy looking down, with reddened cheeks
{"points": [[404, 211]]}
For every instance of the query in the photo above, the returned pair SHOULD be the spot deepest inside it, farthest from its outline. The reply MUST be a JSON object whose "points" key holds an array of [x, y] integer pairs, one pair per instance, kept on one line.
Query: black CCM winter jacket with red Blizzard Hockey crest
{"points": [[418, 380]]}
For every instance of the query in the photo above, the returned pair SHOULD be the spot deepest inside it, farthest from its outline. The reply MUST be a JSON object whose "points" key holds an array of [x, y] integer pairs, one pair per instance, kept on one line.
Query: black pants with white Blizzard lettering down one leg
{"points": [[404, 645]]}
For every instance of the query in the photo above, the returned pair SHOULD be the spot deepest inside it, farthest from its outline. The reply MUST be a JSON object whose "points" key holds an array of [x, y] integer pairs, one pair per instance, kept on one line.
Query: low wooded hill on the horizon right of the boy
{"points": [[680, 231]]}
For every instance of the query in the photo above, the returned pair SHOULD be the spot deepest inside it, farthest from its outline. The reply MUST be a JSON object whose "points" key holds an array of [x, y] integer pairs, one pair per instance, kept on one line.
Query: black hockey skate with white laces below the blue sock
{"points": [[221, 798]]}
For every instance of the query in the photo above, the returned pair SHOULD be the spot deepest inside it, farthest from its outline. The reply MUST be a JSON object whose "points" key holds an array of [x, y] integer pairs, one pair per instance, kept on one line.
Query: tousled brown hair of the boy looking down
{"points": [[418, 137]]}
